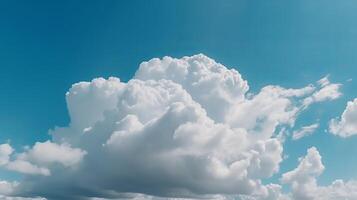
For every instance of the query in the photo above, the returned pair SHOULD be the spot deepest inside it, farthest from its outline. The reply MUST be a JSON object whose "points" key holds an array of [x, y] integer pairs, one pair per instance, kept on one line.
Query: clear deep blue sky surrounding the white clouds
{"points": [[45, 46]]}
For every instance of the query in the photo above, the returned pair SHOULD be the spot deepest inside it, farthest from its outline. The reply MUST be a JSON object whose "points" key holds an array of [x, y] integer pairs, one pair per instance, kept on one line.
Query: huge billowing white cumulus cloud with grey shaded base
{"points": [[180, 128]]}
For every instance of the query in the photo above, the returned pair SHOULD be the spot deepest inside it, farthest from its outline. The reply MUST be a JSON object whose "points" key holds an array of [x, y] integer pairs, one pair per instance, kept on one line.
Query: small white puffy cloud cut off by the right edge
{"points": [[347, 124]]}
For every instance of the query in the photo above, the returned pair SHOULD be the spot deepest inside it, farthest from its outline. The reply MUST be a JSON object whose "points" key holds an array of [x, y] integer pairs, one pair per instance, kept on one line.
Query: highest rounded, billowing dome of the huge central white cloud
{"points": [[209, 83]]}
